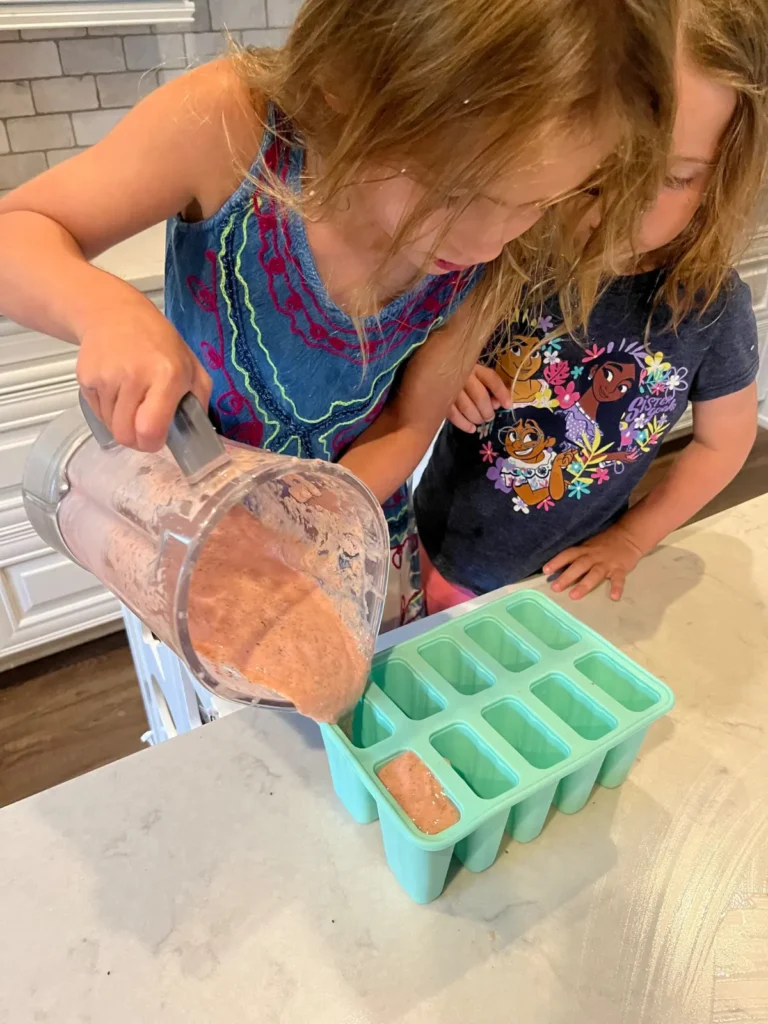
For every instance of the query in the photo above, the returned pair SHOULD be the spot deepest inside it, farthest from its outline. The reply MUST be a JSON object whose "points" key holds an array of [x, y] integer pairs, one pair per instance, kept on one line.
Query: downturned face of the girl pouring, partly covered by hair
{"points": [[480, 233]]}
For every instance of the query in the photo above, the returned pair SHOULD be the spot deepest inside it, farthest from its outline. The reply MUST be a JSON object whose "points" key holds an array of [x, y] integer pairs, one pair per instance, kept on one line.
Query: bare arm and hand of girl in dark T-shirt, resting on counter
{"points": [[724, 432]]}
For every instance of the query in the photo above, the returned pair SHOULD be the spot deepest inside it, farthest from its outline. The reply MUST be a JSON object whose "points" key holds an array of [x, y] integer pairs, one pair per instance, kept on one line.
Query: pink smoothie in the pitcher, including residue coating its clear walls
{"points": [[277, 600]]}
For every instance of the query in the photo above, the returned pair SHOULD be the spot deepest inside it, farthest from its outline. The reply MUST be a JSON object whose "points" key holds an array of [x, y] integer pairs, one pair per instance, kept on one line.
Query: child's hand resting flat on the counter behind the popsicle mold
{"points": [[611, 556]]}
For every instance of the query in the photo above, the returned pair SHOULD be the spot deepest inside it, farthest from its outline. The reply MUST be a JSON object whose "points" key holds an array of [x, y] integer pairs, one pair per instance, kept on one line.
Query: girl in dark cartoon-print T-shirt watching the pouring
{"points": [[545, 484]]}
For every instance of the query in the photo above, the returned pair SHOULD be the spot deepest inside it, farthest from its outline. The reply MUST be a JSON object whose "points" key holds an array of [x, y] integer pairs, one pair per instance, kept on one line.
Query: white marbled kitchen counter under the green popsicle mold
{"points": [[218, 879]]}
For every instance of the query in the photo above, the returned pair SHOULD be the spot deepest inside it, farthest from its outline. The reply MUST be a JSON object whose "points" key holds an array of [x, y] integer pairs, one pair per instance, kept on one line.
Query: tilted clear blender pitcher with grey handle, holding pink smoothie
{"points": [[266, 574]]}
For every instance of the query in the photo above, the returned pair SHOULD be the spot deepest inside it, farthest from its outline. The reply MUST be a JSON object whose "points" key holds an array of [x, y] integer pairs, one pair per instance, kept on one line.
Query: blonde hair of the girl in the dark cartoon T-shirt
{"points": [[727, 40]]}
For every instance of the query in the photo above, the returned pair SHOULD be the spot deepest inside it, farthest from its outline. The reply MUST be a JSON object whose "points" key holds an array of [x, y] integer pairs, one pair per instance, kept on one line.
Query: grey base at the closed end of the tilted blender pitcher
{"points": [[45, 481]]}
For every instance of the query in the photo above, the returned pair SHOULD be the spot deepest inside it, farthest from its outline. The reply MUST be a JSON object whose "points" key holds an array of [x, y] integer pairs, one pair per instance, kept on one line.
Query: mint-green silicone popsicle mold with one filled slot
{"points": [[514, 707]]}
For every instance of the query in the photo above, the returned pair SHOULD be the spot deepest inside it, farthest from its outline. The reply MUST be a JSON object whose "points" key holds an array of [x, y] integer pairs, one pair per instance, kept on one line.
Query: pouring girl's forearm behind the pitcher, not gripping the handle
{"points": [[387, 454]]}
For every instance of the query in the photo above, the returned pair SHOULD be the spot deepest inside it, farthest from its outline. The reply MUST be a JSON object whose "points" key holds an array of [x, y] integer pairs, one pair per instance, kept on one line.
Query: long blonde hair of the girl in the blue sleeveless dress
{"points": [[455, 91]]}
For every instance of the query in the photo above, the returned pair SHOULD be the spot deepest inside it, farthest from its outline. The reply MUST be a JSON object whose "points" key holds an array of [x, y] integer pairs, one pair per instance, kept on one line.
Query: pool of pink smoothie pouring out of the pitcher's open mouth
{"points": [[252, 613]]}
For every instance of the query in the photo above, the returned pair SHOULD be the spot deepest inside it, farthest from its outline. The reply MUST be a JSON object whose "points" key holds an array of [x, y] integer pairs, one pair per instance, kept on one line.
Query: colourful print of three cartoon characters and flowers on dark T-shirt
{"points": [[587, 415]]}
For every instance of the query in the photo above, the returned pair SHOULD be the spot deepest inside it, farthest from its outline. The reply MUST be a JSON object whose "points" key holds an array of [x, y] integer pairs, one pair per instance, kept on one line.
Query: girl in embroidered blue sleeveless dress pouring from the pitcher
{"points": [[331, 204]]}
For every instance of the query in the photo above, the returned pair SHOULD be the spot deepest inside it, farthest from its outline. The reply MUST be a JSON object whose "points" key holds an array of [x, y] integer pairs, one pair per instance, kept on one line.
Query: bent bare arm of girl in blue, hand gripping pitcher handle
{"points": [[181, 150]]}
